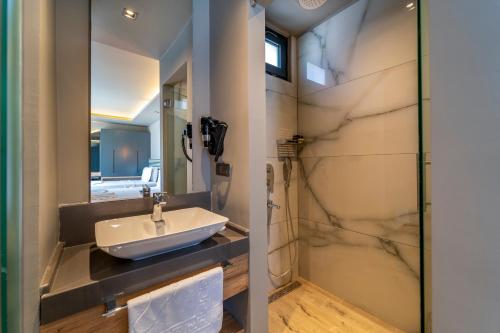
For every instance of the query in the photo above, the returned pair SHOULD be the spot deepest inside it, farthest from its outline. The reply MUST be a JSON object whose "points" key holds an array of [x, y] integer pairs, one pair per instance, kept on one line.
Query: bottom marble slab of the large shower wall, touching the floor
{"points": [[377, 275]]}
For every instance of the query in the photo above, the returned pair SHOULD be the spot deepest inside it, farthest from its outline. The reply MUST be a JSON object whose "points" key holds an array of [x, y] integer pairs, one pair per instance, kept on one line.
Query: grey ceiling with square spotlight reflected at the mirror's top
{"points": [[158, 24]]}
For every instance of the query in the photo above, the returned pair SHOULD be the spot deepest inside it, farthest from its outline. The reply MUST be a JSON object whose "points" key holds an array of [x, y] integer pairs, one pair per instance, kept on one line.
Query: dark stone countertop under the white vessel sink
{"points": [[87, 276]]}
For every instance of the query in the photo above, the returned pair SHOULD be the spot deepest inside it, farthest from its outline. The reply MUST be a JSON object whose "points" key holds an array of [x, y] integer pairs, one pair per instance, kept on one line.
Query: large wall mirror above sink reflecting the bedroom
{"points": [[140, 98]]}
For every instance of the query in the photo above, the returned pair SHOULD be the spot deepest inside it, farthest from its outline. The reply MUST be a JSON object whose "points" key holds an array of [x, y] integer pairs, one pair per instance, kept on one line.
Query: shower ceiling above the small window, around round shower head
{"points": [[289, 16]]}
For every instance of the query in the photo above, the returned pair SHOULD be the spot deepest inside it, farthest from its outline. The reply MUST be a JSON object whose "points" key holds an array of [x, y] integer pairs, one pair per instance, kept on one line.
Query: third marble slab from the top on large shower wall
{"points": [[374, 195]]}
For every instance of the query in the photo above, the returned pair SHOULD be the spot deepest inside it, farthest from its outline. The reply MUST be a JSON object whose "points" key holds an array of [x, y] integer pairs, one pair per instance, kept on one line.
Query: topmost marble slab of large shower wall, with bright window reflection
{"points": [[365, 37]]}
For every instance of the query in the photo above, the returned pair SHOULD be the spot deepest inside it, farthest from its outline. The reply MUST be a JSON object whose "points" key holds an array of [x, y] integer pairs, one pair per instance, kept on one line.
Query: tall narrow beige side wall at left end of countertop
{"points": [[39, 161]]}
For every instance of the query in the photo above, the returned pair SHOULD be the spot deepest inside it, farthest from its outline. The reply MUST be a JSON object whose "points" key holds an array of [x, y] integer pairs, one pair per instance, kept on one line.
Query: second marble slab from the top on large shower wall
{"points": [[375, 114]]}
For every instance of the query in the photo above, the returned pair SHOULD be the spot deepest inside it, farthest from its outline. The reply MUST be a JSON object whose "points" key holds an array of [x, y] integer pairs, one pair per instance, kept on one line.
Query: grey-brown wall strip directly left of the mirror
{"points": [[72, 68]]}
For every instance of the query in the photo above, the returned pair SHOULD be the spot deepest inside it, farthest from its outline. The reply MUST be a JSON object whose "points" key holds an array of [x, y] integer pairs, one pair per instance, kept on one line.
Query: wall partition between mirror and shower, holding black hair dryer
{"points": [[237, 95]]}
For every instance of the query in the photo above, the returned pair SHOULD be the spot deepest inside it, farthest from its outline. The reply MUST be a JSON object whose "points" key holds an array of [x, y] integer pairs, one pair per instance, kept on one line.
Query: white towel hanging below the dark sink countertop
{"points": [[188, 306]]}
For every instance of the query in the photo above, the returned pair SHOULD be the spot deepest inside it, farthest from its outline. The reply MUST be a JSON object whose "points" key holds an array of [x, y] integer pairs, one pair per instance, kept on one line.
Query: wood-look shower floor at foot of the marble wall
{"points": [[309, 309]]}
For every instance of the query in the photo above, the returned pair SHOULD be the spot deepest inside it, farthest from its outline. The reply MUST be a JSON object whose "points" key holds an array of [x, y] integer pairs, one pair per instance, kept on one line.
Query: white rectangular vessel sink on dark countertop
{"points": [[138, 237]]}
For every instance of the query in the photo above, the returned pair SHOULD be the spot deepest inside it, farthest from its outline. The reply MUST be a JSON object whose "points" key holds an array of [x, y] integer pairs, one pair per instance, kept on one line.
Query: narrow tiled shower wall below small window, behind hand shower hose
{"points": [[281, 99]]}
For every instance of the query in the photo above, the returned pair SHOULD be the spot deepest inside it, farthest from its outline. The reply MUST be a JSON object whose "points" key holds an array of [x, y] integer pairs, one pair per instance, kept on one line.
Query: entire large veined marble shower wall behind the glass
{"points": [[358, 219]]}
